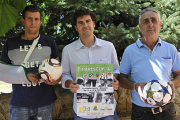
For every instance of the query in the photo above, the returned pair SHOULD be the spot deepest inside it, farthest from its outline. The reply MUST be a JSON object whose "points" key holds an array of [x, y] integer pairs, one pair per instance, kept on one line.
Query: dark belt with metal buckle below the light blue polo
{"points": [[155, 110]]}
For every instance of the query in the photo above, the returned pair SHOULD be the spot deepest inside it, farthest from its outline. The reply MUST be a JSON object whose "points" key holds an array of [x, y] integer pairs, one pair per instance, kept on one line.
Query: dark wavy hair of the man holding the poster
{"points": [[80, 12]]}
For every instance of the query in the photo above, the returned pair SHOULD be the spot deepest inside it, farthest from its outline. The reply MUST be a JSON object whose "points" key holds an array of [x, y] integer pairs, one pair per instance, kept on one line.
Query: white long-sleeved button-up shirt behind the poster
{"points": [[76, 53]]}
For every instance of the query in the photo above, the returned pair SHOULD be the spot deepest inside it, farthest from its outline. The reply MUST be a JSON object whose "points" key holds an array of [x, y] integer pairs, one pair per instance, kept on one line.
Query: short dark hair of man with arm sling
{"points": [[31, 8]]}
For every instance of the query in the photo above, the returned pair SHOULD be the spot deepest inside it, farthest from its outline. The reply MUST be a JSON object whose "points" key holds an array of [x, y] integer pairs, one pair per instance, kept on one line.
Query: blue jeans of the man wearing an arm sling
{"points": [[31, 113]]}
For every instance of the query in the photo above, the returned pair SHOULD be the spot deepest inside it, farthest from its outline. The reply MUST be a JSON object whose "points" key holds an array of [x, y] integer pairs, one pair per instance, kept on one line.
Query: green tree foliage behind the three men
{"points": [[117, 20]]}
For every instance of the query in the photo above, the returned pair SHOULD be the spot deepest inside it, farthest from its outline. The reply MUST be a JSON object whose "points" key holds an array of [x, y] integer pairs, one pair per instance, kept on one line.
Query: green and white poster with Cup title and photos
{"points": [[96, 94]]}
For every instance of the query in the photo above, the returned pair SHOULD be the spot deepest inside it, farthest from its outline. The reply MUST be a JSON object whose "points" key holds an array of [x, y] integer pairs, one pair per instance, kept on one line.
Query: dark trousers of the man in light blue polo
{"points": [[143, 113]]}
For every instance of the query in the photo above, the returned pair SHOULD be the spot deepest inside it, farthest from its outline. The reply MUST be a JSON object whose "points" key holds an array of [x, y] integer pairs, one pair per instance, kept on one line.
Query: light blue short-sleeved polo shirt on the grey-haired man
{"points": [[144, 65]]}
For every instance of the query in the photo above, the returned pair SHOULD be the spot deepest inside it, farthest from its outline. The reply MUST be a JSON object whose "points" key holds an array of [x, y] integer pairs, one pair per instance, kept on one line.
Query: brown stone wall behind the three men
{"points": [[63, 110]]}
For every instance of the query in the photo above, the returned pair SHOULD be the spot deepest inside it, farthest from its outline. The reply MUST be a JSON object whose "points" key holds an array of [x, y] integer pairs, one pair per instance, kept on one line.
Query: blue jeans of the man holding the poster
{"points": [[110, 117]]}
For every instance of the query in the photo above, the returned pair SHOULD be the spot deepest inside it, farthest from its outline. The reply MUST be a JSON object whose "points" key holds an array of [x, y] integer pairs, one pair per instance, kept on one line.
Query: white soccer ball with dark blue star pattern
{"points": [[157, 92]]}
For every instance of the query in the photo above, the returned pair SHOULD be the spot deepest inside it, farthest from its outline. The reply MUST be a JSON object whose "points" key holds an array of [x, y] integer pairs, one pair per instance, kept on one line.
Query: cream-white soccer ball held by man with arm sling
{"points": [[50, 69]]}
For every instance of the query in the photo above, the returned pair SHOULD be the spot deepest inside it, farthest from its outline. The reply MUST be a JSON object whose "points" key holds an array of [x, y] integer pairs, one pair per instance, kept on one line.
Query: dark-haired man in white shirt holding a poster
{"points": [[87, 50]]}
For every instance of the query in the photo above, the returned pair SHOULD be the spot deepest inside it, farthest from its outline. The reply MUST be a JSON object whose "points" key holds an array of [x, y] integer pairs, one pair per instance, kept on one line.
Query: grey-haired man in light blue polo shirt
{"points": [[147, 59]]}
